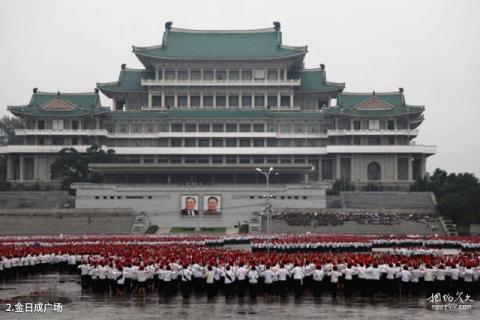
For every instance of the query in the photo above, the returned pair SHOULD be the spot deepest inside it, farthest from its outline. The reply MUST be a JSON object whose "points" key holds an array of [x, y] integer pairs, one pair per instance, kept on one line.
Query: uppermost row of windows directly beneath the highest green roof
{"points": [[221, 75]]}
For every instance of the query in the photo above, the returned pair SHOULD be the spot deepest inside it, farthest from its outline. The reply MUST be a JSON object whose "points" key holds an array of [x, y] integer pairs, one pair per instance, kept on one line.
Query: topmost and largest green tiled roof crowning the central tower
{"points": [[199, 44]]}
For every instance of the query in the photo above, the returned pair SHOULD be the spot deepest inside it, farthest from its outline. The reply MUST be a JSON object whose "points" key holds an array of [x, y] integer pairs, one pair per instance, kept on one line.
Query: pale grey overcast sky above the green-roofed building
{"points": [[430, 48]]}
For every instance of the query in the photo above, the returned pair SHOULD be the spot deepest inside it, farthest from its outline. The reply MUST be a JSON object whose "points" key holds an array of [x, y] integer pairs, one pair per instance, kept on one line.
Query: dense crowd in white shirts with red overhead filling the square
{"points": [[125, 265]]}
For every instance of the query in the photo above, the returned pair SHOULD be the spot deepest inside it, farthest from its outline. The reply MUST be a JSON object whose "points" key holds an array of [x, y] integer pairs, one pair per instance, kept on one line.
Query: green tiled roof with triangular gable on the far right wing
{"points": [[347, 104]]}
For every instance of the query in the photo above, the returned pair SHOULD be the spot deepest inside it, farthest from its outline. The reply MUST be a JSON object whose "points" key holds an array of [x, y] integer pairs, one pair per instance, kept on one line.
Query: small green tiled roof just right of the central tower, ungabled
{"points": [[315, 80]]}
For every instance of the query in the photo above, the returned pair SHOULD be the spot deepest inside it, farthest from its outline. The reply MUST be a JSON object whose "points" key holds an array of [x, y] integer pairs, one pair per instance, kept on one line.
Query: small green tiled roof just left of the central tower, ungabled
{"points": [[129, 80]]}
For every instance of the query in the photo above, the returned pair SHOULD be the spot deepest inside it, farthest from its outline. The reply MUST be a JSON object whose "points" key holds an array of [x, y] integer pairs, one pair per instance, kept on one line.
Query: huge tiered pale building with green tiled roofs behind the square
{"points": [[211, 106]]}
